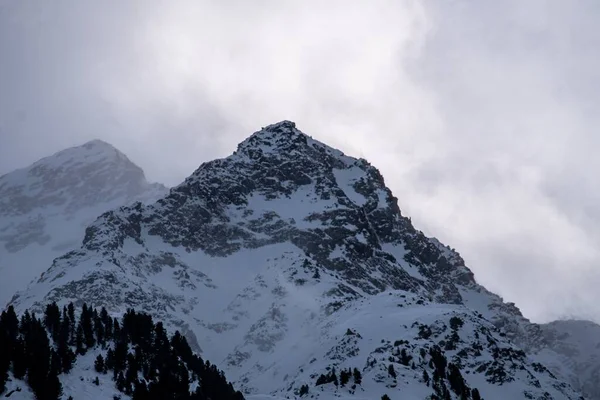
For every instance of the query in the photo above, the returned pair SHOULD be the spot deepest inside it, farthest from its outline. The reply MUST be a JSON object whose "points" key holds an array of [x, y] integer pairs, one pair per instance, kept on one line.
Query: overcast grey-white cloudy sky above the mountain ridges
{"points": [[480, 114]]}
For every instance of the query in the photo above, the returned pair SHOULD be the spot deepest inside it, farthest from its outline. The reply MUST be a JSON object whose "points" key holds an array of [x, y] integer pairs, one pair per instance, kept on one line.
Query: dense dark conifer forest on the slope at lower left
{"points": [[144, 362]]}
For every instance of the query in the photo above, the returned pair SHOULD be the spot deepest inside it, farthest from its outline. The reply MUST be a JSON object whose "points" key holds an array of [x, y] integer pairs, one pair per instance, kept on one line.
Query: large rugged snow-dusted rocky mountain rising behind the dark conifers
{"points": [[289, 260]]}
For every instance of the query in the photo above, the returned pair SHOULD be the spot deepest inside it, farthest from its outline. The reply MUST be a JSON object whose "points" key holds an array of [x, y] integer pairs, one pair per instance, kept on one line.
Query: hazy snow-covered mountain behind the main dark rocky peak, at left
{"points": [[45, 207]]}
